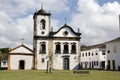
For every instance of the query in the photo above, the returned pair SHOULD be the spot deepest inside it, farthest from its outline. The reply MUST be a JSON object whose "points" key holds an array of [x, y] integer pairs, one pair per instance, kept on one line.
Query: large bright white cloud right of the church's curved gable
{"points": [[97, 23]]}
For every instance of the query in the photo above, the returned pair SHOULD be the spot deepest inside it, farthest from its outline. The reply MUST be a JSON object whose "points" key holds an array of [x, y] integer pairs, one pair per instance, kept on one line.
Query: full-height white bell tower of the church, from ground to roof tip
{"points": [[42, 29]]}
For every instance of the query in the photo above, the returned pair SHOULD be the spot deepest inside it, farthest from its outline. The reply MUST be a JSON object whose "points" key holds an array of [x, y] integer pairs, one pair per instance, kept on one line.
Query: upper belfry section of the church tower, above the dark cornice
{"points": [[41, 23]]}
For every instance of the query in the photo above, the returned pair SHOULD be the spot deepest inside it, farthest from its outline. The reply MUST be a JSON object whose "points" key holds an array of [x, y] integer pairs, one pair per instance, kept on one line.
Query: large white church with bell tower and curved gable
{"points": [[57, 50]]}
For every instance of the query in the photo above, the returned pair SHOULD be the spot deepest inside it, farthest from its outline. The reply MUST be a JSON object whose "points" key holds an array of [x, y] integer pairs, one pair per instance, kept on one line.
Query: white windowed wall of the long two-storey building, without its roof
{"points": [[95, 56]]}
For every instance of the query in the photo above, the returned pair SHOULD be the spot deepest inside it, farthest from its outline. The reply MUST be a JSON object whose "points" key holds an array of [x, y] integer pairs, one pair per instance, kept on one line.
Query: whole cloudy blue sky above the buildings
{"points": [[97, 19]]}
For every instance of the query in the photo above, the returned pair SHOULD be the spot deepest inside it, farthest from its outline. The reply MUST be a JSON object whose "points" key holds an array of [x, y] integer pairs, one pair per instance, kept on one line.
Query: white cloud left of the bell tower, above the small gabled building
{"points": [[12, 31]]}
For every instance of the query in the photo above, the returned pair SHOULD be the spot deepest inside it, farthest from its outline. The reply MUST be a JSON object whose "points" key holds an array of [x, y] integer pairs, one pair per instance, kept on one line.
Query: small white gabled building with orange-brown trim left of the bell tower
{"points": [[20, 57]]}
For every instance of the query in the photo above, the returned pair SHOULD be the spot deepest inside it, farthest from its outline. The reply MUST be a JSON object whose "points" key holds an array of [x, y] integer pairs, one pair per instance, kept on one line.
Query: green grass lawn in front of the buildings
{"points": [[58, 75]]}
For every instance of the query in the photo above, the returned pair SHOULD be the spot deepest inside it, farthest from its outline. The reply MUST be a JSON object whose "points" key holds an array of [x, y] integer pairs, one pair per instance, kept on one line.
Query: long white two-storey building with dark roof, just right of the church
{"points": [[93, 57]]}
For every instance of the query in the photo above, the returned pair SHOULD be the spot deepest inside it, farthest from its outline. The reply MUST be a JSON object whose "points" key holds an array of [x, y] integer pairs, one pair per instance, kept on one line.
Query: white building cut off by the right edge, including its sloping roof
{"points": [[113, 54]]}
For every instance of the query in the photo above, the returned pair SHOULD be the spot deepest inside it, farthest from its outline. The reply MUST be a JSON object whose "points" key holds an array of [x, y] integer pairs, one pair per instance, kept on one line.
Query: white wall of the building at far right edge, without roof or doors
{"points": [[114, 48]]}
